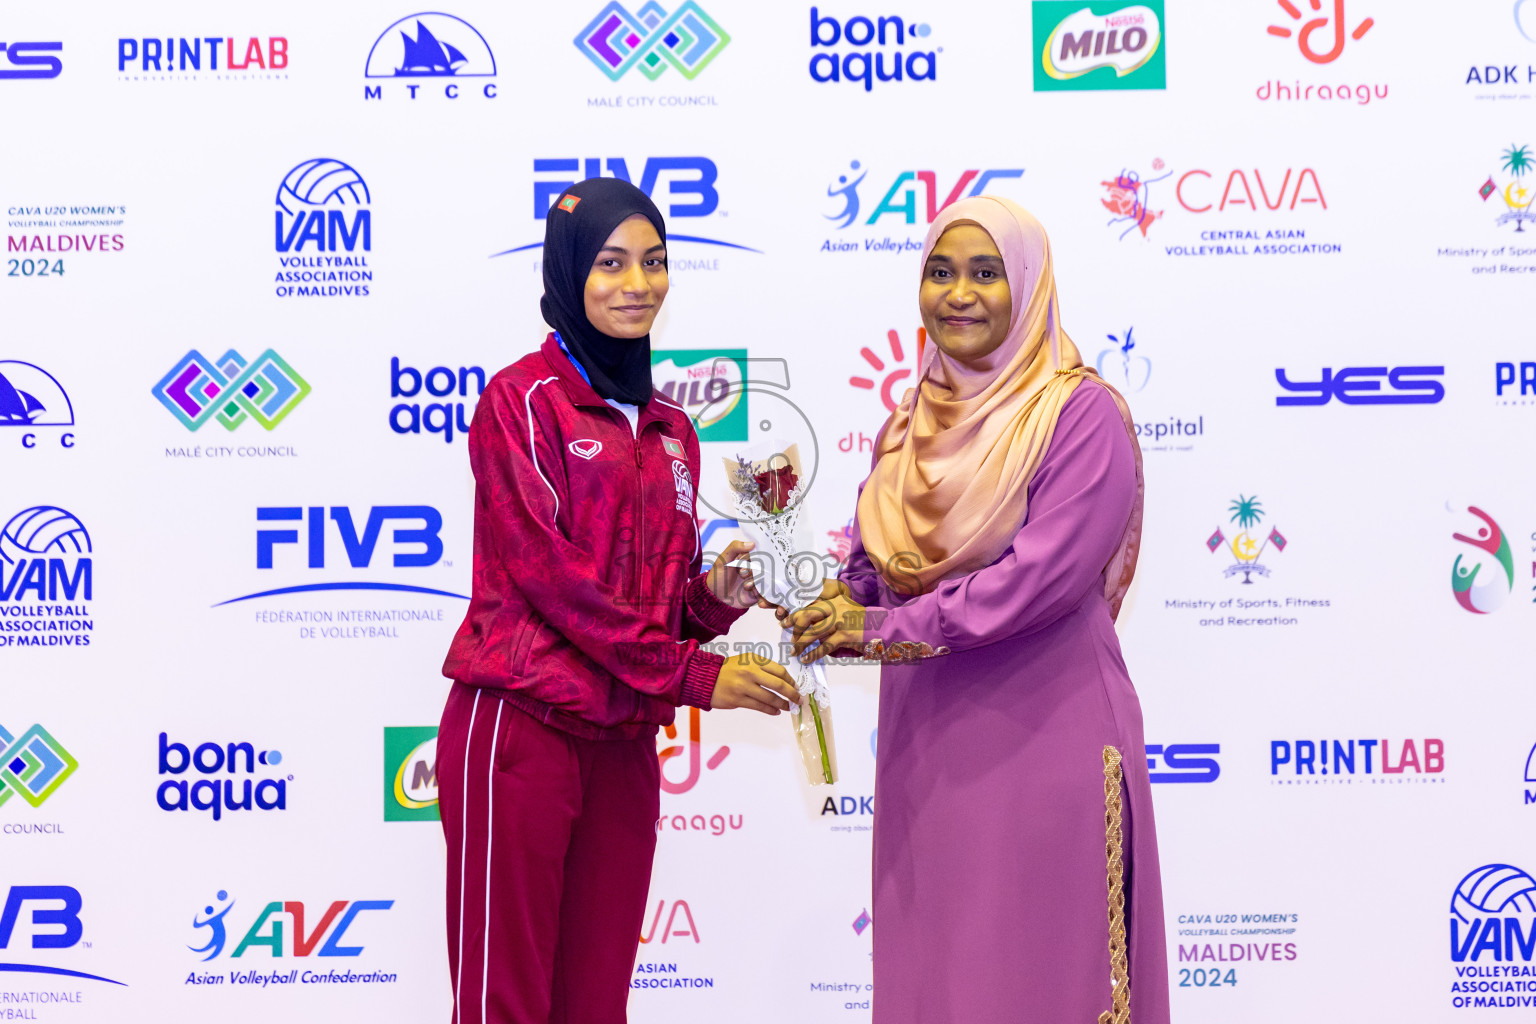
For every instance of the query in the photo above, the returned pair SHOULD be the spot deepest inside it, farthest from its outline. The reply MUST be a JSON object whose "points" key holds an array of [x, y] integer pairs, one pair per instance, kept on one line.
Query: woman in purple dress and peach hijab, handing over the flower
{"points": [[1016, 873]]}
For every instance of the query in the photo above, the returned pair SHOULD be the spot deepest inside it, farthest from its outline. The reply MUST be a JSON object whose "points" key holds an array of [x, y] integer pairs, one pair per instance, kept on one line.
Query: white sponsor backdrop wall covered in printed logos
{"points": [[260, 265]]}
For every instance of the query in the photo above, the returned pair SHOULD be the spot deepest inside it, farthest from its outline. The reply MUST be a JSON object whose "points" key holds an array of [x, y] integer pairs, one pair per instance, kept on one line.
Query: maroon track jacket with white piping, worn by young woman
{"points": [[589, 606]]}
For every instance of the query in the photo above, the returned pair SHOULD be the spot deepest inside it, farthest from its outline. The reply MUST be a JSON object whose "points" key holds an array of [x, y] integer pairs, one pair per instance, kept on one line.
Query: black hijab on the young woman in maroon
{"points": [[580, 223]]}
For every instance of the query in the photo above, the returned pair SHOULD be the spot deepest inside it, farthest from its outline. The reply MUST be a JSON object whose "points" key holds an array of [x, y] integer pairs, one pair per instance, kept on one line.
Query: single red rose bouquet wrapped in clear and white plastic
{"points": [[766, 495]]}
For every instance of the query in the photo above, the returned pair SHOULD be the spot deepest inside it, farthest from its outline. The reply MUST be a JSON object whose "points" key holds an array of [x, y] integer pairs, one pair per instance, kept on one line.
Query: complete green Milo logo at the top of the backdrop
{"points": [[1099, 47]]}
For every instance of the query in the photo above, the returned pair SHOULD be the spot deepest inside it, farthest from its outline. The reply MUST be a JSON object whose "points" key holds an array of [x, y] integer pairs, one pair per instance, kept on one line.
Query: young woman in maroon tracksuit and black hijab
{"points": [[583, 636]]}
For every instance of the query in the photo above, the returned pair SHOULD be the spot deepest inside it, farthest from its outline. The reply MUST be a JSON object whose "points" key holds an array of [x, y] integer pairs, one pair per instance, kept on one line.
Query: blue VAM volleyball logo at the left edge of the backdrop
{"points": [[45, 580]]}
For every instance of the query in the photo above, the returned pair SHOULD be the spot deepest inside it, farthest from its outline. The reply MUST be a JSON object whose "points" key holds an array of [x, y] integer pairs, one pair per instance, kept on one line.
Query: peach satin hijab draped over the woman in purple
{"points": [[950, 489]]}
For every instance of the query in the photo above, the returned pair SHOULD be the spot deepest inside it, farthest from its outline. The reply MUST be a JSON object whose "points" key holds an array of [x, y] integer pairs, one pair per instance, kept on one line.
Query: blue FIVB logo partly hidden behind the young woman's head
{"points": [[664, 179]]}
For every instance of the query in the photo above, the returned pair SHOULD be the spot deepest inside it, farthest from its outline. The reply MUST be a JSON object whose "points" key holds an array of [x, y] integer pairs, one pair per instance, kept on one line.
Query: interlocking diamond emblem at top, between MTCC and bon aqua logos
{"points": [[654, 41]]}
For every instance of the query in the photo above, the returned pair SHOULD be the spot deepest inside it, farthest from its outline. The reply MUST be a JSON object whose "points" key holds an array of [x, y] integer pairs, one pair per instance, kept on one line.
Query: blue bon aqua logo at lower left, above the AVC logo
{"points": [[219, 764]]}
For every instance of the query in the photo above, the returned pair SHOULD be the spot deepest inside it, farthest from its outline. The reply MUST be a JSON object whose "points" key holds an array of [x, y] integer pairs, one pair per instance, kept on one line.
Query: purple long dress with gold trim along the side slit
{"points": [[990, 879]]}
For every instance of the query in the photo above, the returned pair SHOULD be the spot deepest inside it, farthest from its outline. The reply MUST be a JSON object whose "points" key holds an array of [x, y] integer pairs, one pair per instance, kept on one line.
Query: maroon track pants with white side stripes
{"points": [[551, 845]]}
